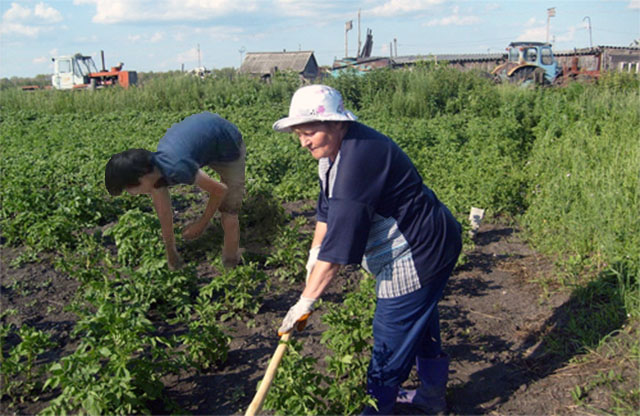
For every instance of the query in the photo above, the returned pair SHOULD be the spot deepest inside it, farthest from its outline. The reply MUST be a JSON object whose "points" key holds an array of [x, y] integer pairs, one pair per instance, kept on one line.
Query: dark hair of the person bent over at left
{"points": [[125, 169]]}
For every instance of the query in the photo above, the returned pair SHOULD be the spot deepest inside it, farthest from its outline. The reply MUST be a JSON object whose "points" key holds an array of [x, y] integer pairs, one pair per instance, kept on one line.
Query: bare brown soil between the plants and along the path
{"points": [[494, 320]]}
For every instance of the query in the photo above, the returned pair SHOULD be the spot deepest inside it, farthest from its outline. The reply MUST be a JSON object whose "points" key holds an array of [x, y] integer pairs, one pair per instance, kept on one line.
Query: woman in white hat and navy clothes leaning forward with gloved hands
{"points": [[374, 209]]}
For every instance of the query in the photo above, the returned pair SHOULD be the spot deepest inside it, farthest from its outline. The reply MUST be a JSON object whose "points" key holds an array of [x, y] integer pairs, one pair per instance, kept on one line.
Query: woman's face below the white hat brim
{"points": [[322, 139]]}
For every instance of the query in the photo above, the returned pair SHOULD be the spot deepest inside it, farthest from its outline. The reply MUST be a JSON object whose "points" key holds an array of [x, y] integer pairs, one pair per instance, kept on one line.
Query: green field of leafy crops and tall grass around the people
{"points": [[562, 163]]}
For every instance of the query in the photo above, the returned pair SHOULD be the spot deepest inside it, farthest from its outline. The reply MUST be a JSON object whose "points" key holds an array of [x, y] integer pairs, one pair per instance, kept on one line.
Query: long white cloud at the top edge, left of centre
{"points": [[116, 11]]}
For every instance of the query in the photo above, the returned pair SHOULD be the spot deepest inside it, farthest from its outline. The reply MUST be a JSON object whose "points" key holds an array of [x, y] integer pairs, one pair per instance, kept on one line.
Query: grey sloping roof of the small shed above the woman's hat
{"points": [[264, 62]]}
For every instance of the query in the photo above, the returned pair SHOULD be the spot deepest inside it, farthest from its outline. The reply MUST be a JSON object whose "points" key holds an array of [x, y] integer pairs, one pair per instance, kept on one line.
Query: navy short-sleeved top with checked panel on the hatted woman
{"points": [[379, 213]]}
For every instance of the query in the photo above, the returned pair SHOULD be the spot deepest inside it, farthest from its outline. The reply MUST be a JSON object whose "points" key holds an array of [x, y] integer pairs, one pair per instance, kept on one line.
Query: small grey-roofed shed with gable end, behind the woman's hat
{"points": [[265, 64]]}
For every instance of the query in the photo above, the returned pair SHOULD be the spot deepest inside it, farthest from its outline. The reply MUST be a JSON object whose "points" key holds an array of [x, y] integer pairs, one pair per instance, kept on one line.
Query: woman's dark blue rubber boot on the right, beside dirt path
{"points": [[430, 397]]}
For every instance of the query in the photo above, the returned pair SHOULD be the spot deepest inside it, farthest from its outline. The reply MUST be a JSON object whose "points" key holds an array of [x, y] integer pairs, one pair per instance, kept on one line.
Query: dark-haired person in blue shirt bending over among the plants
{"points": [[198, 140]]}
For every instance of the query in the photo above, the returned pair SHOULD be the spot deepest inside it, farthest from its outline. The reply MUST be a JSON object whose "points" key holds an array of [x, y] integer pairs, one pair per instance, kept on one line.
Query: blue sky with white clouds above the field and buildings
{"points": [[164, 35]]}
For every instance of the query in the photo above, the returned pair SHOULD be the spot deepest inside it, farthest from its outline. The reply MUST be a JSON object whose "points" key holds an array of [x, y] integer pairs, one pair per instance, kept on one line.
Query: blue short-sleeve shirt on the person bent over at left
{"points": [[196, 141]]}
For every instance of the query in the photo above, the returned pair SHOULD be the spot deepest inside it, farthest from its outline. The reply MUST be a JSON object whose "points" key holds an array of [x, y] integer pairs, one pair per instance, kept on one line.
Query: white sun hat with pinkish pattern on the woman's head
{"points": [[314, 103]]}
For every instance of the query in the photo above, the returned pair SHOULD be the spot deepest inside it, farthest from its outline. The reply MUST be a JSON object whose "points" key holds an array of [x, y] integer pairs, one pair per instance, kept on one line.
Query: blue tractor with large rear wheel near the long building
{"points": [[528, 62]]}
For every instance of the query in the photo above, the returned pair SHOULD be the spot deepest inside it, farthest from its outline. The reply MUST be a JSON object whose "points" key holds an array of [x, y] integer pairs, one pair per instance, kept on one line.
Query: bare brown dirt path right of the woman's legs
{"points": [[493, 322]]}
